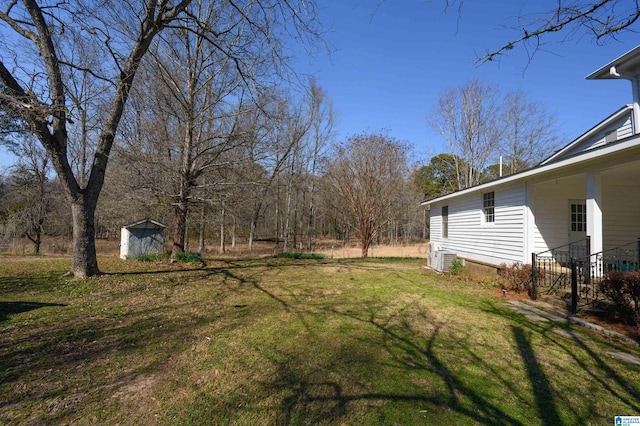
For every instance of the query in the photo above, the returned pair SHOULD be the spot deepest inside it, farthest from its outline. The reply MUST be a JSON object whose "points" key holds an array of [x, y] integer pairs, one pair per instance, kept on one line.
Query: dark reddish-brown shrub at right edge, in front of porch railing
{"points": [[623, 289]]}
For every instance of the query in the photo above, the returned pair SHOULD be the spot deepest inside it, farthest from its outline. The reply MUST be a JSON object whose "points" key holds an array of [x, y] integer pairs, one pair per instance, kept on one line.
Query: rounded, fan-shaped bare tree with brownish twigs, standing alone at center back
{"points": [[365, 172]]}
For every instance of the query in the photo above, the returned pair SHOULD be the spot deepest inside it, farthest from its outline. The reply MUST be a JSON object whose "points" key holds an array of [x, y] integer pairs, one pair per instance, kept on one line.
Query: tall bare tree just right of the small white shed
{"points": [[196, 79]]}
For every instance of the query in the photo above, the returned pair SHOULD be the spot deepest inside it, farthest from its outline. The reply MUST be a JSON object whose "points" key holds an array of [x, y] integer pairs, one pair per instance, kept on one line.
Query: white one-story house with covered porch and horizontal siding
{"points": [[591, 187]]}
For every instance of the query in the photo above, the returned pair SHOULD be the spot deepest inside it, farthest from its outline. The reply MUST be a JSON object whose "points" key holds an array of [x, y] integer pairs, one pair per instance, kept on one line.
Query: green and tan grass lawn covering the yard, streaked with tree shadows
{"points": [[288, 341]]}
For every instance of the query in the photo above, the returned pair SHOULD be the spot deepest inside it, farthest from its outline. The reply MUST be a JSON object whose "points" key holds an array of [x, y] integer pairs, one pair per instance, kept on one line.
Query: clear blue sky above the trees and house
{"points": [[392, 58]]}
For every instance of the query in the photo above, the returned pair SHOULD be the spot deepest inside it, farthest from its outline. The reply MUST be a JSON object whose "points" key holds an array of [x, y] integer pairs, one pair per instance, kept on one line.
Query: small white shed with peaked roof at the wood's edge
{"points": [[144, 236]]}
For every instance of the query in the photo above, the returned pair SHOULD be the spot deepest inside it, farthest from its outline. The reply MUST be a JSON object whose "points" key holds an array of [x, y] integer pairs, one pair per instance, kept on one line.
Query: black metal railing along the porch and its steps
{"points": [[564, 268]]}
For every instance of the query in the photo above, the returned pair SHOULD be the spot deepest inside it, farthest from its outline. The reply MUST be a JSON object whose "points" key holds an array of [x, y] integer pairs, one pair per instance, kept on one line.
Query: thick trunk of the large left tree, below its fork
{"points": [[84, 263]]}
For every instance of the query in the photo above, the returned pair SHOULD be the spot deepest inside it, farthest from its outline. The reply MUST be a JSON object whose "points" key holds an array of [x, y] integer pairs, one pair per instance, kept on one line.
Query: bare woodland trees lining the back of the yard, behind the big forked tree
{"points": [[269, 167]]}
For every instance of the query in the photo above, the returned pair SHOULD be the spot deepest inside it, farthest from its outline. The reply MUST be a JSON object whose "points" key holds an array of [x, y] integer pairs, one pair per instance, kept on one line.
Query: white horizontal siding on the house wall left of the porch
{"points": [[502, 242]]}
